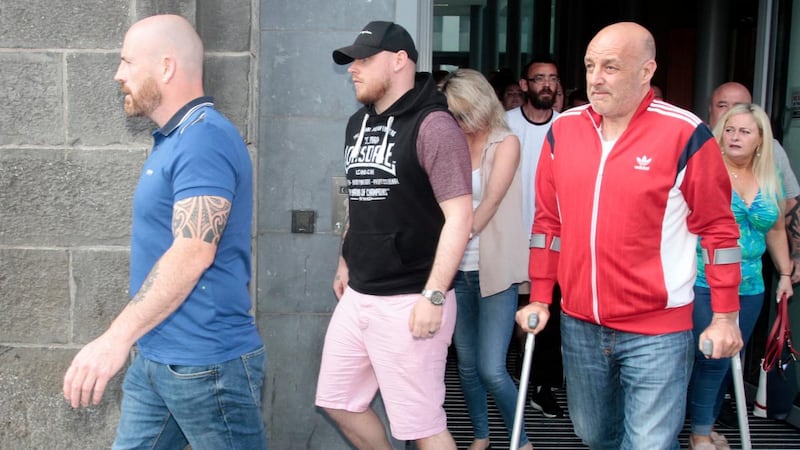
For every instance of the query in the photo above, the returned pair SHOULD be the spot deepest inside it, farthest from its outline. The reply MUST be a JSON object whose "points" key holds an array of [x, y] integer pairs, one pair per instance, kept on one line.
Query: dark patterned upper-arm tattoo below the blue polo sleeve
{"points": [[202, 218]]}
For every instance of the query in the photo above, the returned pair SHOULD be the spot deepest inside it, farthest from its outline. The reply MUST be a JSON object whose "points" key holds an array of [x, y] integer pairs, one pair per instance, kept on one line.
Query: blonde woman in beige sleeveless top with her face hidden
{"points": [[495, 261]]}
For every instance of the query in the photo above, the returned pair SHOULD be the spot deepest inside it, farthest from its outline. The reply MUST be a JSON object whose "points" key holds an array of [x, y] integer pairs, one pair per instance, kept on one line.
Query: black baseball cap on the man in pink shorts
{"points": [[376, 37]]}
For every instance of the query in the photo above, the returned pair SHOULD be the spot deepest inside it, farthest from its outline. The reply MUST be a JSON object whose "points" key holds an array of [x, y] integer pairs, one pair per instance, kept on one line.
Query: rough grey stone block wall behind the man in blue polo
{"points": [[69, 161]]}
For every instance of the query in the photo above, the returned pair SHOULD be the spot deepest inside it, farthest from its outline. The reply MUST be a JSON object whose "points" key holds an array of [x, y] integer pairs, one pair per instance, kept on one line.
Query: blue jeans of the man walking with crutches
{"points": [[625, 390]]}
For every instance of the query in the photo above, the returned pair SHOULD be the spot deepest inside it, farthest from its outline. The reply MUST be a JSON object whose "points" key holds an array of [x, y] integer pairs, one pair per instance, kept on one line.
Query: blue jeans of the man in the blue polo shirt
{"points": [[210, 407]]}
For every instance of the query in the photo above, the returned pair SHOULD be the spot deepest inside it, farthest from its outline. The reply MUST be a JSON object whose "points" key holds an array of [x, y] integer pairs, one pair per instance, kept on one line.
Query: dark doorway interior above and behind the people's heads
{"points": [[504, 34]]}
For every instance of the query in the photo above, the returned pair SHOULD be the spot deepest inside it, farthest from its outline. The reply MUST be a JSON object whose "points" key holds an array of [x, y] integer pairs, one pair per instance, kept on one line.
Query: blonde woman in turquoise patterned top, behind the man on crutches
{"points": [[757, 201]]}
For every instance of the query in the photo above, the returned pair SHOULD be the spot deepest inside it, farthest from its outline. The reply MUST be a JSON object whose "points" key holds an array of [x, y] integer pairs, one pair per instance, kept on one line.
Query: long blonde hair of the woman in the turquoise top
{"points": [[764, 167]]}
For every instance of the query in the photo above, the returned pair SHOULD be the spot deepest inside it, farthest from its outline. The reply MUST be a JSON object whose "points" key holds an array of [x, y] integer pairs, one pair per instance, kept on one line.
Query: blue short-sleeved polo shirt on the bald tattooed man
{"points": [[197, 153]]}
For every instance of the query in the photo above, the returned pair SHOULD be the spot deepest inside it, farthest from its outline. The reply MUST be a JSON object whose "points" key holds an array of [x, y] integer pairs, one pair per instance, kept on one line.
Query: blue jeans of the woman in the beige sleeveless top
{"points": [[483, 331]]}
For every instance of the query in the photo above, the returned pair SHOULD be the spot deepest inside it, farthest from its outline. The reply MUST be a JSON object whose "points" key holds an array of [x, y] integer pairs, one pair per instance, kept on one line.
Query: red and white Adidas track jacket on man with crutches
{"points": [[619, 233]]}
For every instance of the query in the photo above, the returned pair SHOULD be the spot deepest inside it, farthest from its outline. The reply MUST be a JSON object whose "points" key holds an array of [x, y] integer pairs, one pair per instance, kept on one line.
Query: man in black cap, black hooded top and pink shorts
{"points": [[409, 217]]}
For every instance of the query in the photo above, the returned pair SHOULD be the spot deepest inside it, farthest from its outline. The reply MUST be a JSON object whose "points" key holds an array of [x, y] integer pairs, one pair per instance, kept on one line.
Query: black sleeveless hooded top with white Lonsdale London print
{"points": [[395, 220]]}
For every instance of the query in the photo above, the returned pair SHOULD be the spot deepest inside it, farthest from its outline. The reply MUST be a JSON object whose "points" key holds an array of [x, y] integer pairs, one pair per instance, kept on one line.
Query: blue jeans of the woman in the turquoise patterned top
{"points": [[711, 377]]}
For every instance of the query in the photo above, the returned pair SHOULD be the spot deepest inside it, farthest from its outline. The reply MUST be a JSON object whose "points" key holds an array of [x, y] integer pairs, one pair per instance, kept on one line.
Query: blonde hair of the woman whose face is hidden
{"points": [[473, 101]]}
